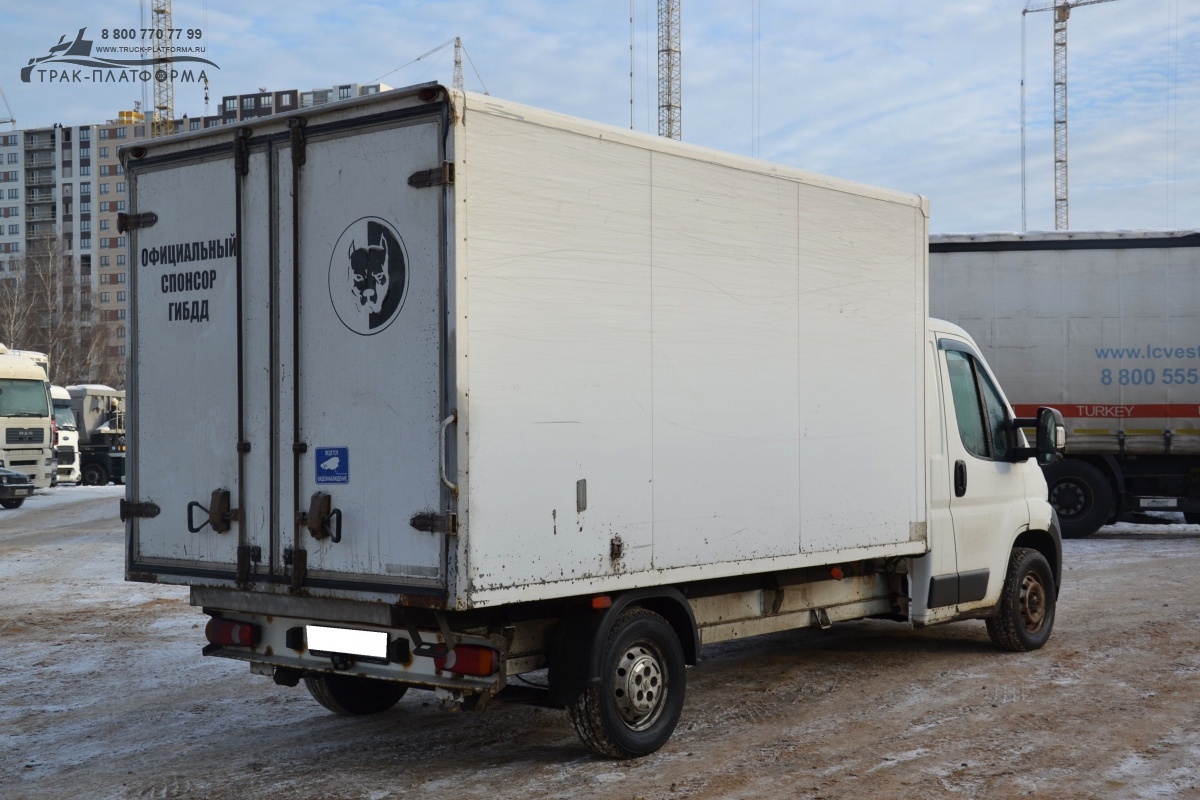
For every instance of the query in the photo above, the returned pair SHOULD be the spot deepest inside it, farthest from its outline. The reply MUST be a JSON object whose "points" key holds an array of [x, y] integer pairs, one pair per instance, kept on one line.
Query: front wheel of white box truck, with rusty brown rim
{"points": [[1028, 604]]}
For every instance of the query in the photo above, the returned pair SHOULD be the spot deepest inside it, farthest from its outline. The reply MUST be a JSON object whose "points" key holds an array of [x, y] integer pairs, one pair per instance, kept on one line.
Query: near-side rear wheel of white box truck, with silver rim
{"points": [[638, 703]]}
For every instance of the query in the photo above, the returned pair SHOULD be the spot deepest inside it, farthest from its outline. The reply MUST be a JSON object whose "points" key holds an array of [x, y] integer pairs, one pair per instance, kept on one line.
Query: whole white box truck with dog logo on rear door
{"points": [[470, 390]]}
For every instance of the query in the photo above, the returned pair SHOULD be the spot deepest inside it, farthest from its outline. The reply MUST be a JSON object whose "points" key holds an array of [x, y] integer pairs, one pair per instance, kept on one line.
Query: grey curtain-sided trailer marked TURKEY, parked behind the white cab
{"points": [[1105, 327]]}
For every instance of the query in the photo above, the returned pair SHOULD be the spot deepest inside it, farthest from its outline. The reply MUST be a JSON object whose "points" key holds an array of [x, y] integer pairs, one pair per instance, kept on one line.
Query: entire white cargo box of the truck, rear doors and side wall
{"points": [[581, 358]]}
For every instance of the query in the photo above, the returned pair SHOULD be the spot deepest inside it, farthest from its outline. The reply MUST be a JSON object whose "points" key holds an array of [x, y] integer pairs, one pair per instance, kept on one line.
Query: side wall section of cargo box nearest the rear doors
{"points": [[559, 245]]}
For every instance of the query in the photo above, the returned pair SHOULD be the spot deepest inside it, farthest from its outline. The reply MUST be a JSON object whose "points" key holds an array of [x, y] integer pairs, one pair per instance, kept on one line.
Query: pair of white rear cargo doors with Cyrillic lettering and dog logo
{"points": [[287, 424]]}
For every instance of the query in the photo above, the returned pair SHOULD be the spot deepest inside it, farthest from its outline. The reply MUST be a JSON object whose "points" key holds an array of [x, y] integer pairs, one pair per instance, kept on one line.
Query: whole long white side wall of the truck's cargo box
{"points": [[731, 362]]}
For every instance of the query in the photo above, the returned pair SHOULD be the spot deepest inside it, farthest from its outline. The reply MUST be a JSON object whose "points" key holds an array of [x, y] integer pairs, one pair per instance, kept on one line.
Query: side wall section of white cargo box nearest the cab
{"points": [[862, 394]]}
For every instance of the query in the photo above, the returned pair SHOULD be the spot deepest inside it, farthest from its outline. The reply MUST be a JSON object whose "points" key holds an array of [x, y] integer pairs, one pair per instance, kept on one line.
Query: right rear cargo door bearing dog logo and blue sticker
{"points": [[364, 401]]}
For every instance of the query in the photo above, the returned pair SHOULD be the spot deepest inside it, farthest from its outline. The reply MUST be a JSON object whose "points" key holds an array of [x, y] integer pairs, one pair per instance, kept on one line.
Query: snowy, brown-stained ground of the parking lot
{"points": [[106, 695]]}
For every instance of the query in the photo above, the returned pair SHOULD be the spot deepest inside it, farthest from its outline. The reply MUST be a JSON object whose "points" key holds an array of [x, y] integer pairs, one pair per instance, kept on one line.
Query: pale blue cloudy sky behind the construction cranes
{"points": [[916, 97]]}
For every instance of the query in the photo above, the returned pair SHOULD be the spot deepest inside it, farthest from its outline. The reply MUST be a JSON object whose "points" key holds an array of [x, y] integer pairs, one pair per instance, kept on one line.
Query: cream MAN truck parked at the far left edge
{"points": [[26, 419]]}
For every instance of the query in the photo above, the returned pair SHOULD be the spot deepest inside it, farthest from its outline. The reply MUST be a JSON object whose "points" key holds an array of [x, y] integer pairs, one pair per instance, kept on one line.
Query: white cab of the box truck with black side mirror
{"points": [[987, 494]]}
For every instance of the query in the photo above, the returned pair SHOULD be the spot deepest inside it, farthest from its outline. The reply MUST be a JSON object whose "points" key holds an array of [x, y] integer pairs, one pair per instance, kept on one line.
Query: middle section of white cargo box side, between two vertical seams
{"points": [[727, 365]]}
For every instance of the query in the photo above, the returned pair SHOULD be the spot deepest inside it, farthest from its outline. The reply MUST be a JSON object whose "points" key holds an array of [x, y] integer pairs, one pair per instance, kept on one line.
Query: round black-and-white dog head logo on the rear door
{"points": [[368, 276]]}
